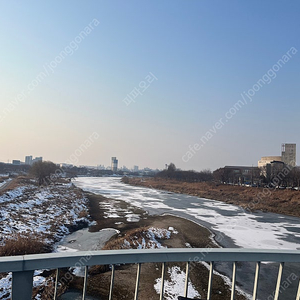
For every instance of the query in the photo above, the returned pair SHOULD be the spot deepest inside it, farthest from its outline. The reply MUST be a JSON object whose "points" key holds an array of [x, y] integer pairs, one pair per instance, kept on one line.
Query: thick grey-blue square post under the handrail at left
{"points": [[21, 287]]}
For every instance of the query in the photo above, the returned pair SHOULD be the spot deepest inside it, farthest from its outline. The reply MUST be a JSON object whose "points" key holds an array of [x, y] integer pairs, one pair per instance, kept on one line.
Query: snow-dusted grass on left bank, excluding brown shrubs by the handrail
{"points": [[44, 212]]}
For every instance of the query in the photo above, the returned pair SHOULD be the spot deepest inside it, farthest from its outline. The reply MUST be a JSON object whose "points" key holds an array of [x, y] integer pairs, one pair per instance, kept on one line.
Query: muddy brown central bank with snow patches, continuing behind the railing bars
{"points": [[139, 230]]}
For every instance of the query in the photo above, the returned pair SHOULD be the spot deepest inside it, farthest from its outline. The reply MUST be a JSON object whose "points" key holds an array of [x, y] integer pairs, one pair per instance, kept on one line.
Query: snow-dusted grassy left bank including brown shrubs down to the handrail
{"points": [[34, 218]]}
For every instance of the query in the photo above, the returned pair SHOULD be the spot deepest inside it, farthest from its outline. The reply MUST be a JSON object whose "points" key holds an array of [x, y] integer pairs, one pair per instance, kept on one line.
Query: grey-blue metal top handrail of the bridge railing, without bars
{"points": [[105, 257]]}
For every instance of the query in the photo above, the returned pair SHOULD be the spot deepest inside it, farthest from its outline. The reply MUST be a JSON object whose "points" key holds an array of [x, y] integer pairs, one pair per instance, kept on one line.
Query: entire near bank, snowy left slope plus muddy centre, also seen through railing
{"points": [[44, 215]]}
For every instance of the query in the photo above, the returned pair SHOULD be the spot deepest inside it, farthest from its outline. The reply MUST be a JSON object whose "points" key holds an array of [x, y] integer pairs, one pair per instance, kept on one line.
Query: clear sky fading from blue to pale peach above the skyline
{"points": [[202, 84]]}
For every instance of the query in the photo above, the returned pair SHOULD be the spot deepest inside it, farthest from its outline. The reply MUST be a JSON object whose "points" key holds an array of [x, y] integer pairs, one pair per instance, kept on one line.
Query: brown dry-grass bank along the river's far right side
{"points": [[285, 202]]}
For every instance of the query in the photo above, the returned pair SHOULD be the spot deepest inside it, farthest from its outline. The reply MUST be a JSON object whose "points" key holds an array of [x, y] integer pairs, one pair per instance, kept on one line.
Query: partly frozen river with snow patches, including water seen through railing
{"points": [[231, 225]]}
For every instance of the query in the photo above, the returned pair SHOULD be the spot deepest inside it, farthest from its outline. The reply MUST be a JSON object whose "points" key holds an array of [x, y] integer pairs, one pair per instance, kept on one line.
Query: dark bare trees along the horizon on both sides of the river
{"points": [[47, 172]]}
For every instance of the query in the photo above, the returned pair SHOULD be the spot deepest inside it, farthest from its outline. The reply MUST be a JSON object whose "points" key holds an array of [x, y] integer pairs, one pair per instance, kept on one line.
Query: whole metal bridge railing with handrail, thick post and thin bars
{"points": [[22, 267]]}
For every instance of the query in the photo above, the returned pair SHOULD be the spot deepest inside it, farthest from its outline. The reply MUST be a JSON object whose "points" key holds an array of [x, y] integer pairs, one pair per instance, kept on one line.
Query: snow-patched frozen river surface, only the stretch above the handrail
{"points": [[247, 230]]}
